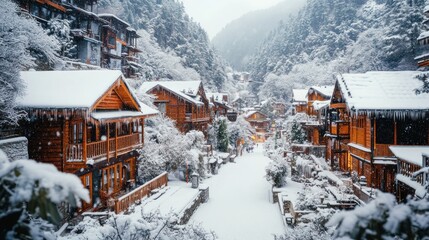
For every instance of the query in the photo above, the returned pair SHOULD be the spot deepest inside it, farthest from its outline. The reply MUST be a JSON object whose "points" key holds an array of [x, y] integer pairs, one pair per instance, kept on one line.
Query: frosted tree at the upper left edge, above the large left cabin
{"points": [[22, 43]]}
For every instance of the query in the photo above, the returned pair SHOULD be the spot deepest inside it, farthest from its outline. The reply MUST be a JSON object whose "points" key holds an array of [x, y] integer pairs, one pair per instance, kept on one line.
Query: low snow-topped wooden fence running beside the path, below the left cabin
{"points": [[124, 202]]}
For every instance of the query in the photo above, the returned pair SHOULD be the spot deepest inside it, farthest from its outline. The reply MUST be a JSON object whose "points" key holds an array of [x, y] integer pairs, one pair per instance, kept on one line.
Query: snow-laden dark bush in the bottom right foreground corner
{"points": [[384, 218]]}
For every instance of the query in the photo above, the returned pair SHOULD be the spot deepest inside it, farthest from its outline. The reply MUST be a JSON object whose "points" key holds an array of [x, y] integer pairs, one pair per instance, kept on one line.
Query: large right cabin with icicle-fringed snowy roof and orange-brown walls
{"points": [[371, 112]]}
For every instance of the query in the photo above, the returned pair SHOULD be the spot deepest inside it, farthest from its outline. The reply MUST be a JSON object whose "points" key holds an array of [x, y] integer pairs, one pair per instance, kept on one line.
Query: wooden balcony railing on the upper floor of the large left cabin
{"points": [[108, 148]]}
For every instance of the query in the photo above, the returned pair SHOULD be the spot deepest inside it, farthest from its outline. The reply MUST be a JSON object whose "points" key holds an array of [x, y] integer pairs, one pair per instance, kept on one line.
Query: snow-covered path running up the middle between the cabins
{"points": [[239, 206]]}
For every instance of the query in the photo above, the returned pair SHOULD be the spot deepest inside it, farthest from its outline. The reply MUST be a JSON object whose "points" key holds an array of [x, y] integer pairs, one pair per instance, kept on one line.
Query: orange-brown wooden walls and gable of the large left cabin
{"points": [[99, 143]]}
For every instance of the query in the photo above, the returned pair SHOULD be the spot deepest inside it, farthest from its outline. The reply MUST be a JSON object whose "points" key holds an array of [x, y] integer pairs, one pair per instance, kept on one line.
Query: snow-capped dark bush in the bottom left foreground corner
{"points": [[29, 195]]}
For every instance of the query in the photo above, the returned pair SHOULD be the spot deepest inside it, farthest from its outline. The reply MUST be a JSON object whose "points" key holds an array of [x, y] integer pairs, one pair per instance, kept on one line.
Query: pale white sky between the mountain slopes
{"points": [[213, 15]]}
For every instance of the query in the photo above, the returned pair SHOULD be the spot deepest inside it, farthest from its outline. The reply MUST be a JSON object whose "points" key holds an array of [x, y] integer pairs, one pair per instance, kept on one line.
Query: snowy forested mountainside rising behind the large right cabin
{"points": [[330, 36]]}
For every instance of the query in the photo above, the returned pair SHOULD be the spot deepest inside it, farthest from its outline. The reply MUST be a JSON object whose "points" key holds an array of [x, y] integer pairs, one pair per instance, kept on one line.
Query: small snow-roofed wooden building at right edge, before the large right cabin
{"points": [[411, 178]]}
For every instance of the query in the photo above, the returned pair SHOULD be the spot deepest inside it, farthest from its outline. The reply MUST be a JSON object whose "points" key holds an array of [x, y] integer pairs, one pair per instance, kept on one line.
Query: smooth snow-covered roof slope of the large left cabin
{"points": [[65, 89]]}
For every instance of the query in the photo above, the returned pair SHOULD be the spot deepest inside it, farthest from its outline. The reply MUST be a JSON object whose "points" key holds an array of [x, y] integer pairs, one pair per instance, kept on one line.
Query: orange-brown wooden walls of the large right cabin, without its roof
{"points": [[359, 141]]}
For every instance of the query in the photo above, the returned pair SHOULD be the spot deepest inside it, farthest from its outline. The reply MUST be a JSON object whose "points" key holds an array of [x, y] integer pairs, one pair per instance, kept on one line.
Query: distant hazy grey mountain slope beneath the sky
{"points": [[241, 38]]}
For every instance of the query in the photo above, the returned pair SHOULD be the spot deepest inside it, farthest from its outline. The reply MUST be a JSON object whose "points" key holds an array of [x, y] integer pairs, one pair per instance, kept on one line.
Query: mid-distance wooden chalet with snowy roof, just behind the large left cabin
{"points": [[185, 102]]}
